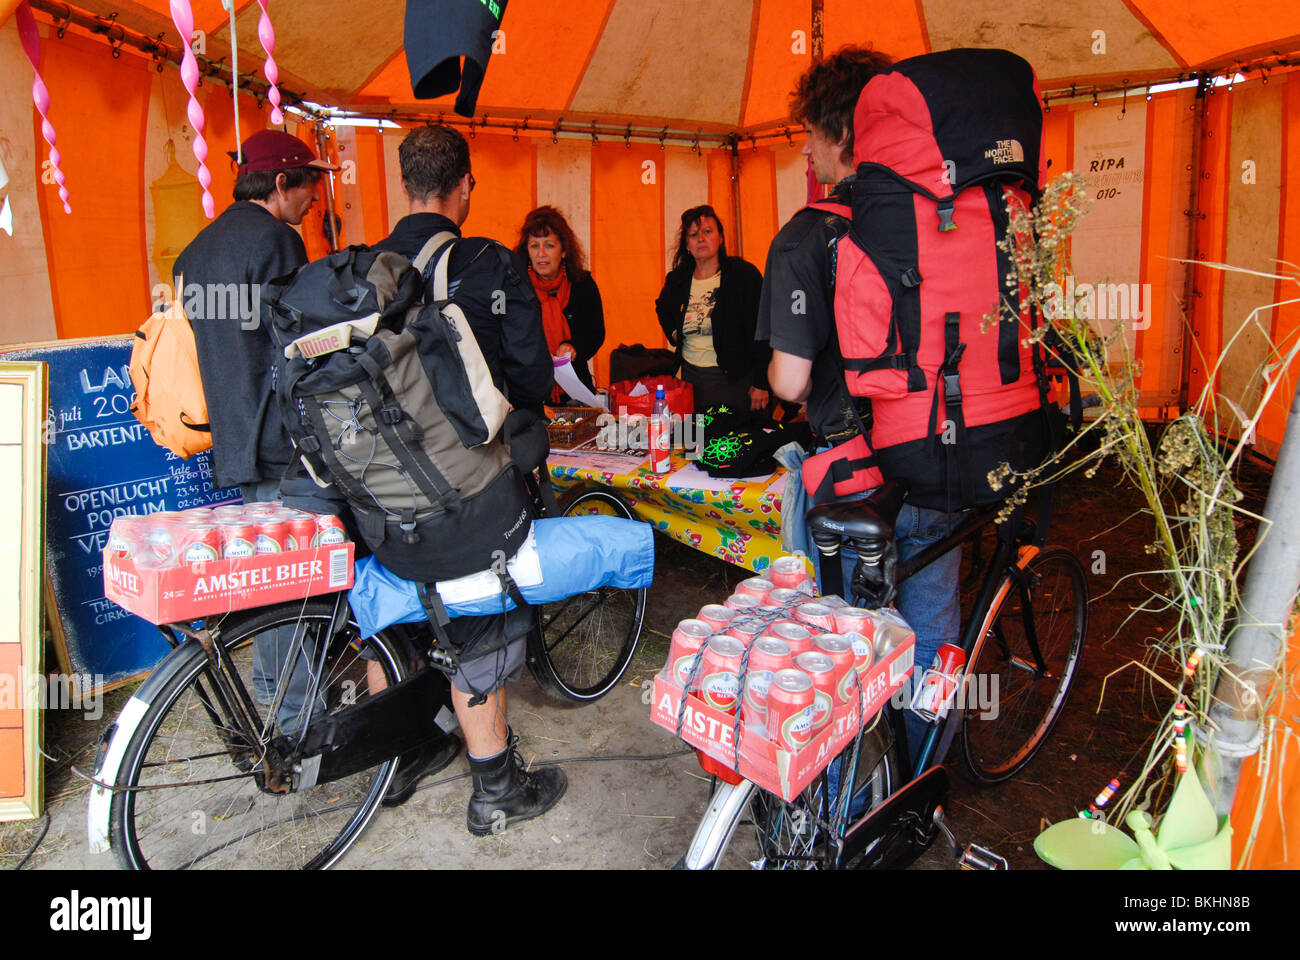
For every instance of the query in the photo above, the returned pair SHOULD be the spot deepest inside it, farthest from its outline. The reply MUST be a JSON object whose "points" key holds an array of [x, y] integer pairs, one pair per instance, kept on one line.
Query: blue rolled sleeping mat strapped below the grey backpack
{"points": [[577, 555]]}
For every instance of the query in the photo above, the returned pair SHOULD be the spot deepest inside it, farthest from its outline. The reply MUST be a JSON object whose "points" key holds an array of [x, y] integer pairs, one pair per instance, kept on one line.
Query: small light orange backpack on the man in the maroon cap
{"points": [[168, 388]]}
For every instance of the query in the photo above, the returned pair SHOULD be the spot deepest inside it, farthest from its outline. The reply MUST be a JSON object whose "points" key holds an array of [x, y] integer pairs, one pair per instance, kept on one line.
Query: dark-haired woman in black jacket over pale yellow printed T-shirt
{"points": [[708, 310]]}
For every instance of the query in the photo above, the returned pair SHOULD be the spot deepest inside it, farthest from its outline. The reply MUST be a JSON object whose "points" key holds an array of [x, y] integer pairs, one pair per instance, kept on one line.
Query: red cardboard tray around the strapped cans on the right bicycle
{"points": [[778, 771]]}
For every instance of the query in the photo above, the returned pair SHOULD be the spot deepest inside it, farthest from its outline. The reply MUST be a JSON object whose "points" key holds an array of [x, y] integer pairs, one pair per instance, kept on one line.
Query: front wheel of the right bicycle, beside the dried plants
{"points": [[1028, 659]]}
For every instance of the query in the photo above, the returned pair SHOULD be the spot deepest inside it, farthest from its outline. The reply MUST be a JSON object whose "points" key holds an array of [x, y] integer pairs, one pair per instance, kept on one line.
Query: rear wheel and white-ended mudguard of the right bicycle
{"points": [[786, 833]]}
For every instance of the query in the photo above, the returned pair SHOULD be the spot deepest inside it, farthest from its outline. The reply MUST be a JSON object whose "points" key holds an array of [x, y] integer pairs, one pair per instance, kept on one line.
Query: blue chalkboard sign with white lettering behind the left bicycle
{"points": [[102, 464]]}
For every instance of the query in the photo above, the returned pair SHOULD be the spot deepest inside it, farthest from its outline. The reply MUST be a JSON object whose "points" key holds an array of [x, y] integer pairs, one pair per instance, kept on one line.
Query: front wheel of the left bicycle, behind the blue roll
{"points": [[584, 645]]}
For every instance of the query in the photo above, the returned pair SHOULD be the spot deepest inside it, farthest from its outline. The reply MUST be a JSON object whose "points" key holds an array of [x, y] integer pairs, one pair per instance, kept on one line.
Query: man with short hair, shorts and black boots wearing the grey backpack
{"points": [[489, 284]]}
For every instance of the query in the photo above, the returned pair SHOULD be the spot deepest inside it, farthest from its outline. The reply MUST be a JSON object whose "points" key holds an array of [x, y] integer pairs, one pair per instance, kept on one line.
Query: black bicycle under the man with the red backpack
{"points": [[1026, 628]]}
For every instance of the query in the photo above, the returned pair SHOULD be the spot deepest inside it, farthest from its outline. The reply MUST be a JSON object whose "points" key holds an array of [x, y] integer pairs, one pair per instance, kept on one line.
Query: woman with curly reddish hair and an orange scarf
{"points": [[573, 314]]}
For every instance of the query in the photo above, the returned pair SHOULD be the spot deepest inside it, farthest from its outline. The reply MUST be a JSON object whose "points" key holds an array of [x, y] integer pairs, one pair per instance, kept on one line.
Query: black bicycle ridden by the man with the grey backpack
{"points": [[202, 775]]}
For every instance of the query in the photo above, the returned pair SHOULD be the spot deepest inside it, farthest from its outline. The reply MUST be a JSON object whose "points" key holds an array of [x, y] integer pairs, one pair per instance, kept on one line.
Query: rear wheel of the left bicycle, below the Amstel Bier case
{"points": [[197, 792]]}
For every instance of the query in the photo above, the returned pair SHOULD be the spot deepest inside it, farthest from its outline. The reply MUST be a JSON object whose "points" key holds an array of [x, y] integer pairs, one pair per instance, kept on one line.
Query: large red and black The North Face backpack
{"points": [[943, 144]]}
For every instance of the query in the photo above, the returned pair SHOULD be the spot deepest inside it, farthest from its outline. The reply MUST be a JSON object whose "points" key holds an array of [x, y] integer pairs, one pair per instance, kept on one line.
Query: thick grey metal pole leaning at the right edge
{"points": [[1259, 639]]}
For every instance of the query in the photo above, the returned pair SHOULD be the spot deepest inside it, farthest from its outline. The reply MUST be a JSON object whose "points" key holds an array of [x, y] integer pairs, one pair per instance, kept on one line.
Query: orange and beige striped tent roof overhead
{"points": [[726, 66]]}
